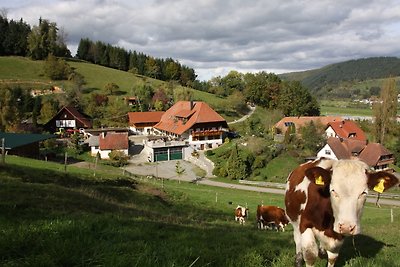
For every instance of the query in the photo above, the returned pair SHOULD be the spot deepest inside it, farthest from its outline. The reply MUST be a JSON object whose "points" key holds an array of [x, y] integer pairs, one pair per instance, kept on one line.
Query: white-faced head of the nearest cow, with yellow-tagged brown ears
{"points": [[348, 182]]}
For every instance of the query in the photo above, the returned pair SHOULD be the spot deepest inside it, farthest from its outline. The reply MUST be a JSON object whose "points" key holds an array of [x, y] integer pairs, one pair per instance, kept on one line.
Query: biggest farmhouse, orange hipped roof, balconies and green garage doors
{"points": [[185, 127]]}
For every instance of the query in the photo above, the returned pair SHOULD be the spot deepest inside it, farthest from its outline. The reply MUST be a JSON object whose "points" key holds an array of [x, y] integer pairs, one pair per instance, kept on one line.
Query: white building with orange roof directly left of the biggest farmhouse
{"points": [[143, 122]]}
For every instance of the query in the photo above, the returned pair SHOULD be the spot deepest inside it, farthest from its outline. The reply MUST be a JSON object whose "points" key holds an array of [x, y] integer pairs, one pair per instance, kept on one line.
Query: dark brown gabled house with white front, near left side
{"points": [[68, 117]]}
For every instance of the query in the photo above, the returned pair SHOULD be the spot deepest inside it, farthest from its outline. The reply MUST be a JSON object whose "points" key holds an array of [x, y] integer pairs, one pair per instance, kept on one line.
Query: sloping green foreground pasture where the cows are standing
{"points": [[49, 218]]}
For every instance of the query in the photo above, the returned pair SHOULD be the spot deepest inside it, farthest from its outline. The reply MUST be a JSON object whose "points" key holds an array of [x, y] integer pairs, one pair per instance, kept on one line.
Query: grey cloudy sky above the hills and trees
{"points": [[214, 37]]}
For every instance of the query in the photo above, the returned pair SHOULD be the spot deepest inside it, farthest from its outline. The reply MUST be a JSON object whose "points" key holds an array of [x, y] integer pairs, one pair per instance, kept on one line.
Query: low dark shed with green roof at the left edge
{"points": [[24, 144]]}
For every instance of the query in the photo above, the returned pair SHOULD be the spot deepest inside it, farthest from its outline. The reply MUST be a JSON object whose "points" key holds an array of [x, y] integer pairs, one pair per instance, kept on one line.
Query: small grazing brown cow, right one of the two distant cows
{"points": [[271, 217]]}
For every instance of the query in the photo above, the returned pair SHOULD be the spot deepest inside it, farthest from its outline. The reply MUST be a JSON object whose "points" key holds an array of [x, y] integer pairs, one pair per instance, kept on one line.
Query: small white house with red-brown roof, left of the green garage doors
{"points": [[107, 142]]}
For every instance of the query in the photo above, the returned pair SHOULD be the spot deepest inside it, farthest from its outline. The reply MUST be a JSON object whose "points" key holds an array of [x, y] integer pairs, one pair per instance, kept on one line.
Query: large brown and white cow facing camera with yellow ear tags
{"points": [[324, 202]]}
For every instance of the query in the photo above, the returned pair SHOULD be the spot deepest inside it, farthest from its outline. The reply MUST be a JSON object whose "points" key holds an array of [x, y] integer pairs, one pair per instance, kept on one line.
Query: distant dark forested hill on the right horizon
{"points": [[352, 70]]}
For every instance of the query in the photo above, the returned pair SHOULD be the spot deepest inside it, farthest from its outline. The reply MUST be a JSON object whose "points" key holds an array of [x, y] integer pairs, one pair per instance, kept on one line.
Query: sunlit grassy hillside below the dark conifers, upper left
{"points": [[29, 73]]}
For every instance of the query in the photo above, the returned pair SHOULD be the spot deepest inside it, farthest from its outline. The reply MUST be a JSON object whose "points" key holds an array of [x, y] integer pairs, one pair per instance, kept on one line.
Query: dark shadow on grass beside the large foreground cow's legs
{"points": [[360, 246]]}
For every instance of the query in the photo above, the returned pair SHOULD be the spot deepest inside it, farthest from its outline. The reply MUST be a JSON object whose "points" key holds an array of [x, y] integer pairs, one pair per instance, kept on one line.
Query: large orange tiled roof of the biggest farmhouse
{"points": [[192, 112]]}
